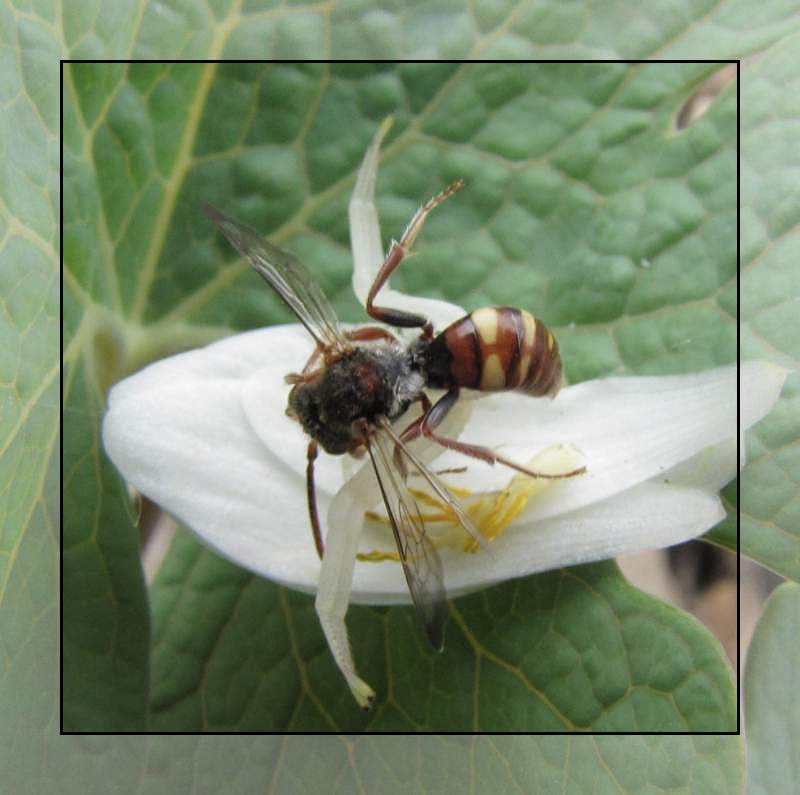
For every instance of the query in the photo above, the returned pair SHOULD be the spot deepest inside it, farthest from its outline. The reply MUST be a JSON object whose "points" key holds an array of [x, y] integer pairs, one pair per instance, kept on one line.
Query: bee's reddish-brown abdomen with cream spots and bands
{"points": [[493, 349]]}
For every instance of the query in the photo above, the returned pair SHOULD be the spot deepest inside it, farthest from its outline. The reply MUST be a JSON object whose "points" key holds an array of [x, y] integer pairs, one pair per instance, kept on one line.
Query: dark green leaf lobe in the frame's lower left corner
{"points": [[105, 609]]}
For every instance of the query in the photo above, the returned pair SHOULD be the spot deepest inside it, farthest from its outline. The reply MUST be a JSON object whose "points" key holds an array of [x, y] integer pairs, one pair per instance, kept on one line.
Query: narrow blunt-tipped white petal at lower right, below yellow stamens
{"points": [[650, 515]]}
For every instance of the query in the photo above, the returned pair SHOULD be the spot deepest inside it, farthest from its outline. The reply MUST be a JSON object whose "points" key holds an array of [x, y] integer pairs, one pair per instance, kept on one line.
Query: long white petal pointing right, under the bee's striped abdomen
{"points": [[629, 429]]}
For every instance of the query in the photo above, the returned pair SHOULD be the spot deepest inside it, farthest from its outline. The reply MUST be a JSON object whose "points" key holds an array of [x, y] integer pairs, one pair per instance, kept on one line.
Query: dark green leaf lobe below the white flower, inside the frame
{"points": [[575, 650]]}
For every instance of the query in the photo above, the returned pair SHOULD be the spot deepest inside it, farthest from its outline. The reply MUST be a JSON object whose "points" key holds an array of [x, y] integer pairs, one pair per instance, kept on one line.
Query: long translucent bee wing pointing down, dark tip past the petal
{"points": [[421, 563]]}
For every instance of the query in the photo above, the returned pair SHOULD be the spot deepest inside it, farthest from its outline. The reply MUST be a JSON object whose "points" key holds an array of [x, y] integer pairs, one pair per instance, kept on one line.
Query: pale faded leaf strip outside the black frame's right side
{"points": [[770, 292]]}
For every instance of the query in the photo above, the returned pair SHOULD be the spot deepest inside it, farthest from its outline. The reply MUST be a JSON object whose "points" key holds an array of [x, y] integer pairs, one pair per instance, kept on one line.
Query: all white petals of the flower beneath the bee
{"points": [[205, 435]]}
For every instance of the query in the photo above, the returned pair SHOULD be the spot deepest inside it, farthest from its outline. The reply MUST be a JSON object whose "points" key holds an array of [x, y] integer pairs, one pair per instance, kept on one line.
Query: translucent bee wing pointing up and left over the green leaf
{"points": [[287, 275]]}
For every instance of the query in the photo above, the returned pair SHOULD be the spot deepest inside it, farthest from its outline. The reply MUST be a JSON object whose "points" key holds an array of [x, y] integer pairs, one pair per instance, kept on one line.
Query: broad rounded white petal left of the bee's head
{"points": [[178, 432]]}
